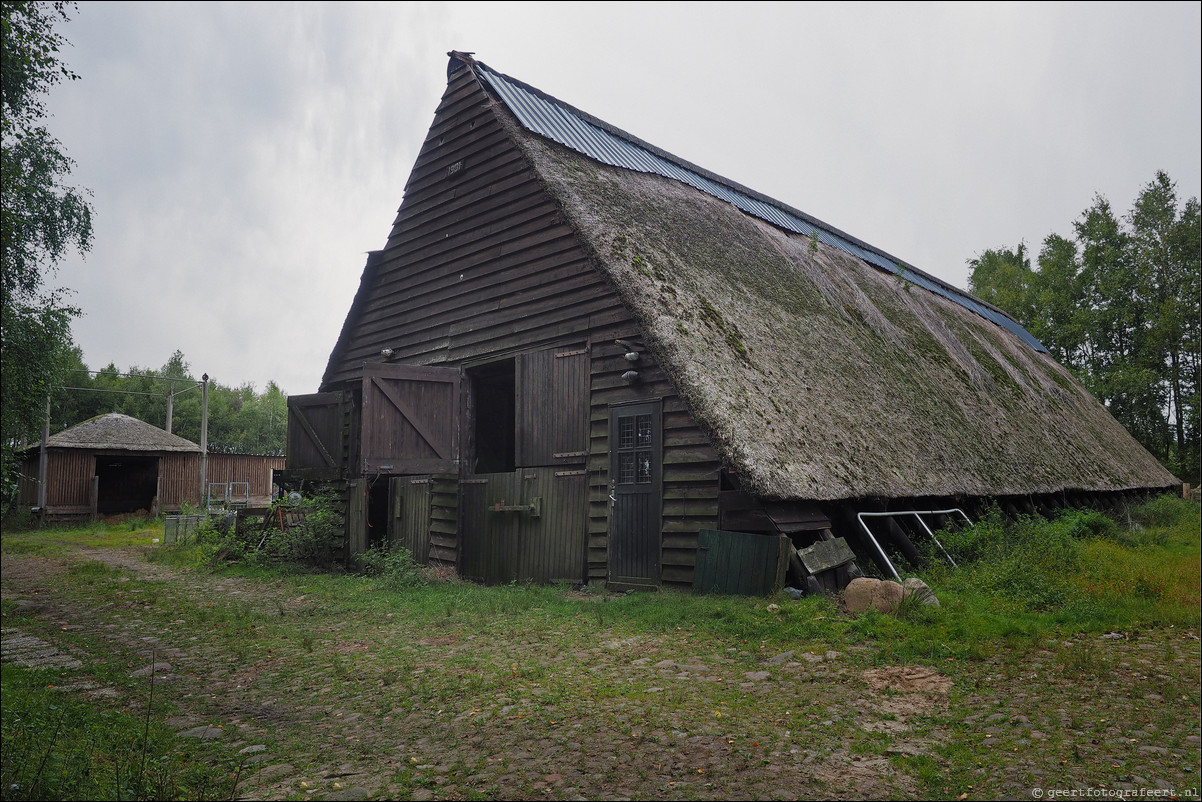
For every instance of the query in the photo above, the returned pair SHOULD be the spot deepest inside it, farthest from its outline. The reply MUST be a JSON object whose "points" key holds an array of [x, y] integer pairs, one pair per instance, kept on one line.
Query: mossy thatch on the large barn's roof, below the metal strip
{"points": [[820, 376]]}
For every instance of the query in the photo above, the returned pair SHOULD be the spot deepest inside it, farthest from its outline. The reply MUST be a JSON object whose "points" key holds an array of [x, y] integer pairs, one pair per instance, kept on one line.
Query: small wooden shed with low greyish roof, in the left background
{"points": [[116, 465]]}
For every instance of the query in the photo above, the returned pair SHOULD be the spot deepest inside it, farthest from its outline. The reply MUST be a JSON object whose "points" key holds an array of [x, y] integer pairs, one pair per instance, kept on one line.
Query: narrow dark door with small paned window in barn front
{"points": [[636, 456]]}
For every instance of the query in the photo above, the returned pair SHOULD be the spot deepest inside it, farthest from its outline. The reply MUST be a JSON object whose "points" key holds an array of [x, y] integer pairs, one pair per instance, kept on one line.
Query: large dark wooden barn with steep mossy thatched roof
{"points": [[580, 359]]}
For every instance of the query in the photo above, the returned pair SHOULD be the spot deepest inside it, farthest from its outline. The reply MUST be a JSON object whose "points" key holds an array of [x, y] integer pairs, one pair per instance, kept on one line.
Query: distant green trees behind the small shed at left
{"points": [[240, 421]]}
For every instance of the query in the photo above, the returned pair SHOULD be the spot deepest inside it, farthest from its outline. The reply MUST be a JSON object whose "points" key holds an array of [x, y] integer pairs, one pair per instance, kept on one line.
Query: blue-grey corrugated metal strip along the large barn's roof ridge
{"points": [[828, 234]]}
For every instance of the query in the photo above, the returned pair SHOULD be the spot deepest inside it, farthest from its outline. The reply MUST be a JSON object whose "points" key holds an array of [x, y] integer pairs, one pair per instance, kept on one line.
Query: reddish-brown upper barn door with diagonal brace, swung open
{"points": [[410, 420]]}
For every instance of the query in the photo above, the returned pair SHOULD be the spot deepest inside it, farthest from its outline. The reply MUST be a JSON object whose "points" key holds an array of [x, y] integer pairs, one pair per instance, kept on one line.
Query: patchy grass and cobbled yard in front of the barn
{"points": [[1063, 656]]}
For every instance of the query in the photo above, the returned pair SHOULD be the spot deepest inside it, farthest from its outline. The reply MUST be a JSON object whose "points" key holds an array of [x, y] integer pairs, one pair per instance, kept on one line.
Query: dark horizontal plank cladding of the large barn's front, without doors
{"points": [[481, 266]]}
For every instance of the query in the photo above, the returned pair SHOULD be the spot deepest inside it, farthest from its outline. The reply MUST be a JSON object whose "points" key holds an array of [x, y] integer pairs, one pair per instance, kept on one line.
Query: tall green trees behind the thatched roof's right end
{"points": [[1118, 304]]}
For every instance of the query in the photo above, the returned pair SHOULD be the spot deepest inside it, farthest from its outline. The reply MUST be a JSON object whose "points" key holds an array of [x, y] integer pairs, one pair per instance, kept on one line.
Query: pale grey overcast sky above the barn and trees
{"points": [[245, 158]]}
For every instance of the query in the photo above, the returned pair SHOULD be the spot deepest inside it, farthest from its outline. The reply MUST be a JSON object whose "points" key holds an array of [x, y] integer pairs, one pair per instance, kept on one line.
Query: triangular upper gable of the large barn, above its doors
{"points": [[480, 260]]}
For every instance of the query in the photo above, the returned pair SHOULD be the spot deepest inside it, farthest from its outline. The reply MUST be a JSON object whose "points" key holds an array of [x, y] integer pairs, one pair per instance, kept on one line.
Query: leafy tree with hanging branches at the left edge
{"points": [[41, 221]]}
